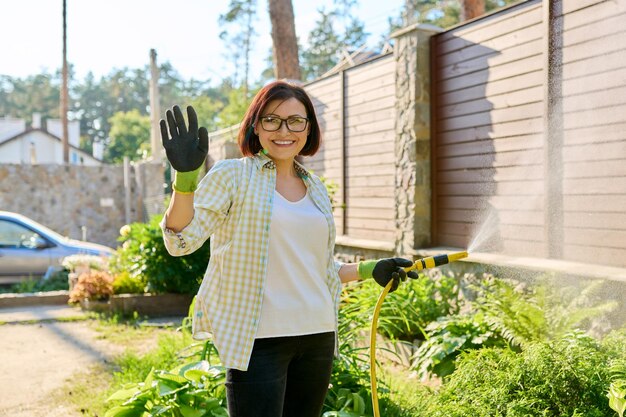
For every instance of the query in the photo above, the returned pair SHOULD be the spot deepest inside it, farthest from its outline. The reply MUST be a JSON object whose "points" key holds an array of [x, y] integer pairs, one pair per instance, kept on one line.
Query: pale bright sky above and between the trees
{"points": [[107, 34]]}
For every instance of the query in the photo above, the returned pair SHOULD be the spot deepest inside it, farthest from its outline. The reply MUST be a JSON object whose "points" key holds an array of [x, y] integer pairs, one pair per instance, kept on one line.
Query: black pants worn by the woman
{"points": [[287, 376]]}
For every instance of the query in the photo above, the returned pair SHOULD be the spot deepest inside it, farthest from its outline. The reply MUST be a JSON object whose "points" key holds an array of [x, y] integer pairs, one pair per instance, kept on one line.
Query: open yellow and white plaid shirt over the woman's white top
{"points": [[233, 205]]}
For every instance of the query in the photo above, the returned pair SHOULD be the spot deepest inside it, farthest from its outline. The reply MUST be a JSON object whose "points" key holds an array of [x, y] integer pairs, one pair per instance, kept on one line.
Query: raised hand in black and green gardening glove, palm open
{"points": [[186, 149]]}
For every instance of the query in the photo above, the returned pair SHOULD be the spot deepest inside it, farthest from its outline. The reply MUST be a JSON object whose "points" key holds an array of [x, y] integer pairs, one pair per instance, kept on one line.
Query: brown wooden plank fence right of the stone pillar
{"points": [[529, 111]]}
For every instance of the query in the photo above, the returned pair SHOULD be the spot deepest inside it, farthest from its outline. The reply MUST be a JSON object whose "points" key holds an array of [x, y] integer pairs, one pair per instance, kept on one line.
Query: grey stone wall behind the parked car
{"points": [[68, 198]]}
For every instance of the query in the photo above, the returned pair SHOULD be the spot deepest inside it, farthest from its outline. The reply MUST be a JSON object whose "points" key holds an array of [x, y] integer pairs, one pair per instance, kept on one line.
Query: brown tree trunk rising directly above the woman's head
{"points": [[285, 43]]}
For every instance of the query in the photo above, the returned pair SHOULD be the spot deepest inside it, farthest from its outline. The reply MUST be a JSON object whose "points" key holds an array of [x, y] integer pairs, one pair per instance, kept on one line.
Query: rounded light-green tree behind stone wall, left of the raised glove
{"points": [[129, 136]]}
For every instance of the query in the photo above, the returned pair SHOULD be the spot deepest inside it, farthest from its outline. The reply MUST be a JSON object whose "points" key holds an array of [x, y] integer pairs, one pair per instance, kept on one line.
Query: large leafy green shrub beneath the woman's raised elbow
{"points": [[144, 257]]}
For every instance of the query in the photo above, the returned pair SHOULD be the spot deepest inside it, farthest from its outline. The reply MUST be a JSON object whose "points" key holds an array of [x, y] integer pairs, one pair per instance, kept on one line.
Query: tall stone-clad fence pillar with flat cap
{"points": [[412, 138]]}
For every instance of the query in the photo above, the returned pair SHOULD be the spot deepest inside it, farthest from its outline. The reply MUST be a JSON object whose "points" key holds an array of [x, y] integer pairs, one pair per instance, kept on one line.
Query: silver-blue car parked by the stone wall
{"points": [[29, 249]]}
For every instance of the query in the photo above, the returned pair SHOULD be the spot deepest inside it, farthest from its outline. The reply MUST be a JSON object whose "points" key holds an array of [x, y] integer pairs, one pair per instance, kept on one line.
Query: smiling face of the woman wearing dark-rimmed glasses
{"points": [[283, 144]]}
